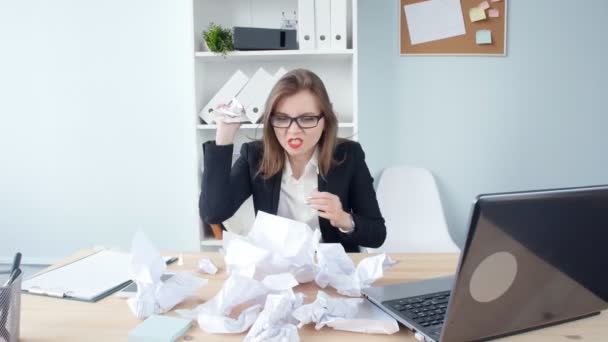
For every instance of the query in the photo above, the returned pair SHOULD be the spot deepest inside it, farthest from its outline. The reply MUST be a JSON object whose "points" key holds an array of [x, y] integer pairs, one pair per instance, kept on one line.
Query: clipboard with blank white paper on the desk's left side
{"points": [[88, 279]]}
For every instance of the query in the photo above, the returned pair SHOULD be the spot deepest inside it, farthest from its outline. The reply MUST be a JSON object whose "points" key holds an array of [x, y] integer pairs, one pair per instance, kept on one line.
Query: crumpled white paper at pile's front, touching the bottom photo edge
{"points": [[276, 323]]}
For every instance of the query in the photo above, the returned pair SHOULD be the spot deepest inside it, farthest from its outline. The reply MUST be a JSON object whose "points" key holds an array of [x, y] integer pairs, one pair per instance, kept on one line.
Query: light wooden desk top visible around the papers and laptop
{"points": [[51, 319]]}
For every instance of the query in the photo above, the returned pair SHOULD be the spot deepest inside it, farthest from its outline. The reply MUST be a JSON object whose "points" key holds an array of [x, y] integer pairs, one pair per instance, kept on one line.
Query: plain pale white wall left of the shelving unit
{"points": [[97, 137]]}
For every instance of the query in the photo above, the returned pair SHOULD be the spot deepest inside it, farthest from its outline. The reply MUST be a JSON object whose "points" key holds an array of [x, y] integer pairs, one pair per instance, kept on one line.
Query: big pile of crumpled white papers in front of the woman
{"points": [[265, 266]]}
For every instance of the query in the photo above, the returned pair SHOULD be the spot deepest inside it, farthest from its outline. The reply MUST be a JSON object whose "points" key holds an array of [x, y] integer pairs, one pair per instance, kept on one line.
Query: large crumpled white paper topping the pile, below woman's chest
{"points": [[274, 245]]}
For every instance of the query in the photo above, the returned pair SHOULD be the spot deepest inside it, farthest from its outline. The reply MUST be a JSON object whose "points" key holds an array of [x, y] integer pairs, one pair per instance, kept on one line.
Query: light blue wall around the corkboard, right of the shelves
{"points": [[534, 119]]}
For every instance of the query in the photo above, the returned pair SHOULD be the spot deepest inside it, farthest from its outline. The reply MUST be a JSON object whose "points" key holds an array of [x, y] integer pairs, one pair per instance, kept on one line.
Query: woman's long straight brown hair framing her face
{"points": [[291, 83]]}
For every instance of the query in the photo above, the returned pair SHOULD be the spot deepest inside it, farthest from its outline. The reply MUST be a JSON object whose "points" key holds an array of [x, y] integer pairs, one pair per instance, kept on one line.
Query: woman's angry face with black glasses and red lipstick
{"points": [[295, 140]]}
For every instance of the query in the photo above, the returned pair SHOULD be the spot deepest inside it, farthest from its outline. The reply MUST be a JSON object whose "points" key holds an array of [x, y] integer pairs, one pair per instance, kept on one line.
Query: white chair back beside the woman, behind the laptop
{"points": [[410, 204]]}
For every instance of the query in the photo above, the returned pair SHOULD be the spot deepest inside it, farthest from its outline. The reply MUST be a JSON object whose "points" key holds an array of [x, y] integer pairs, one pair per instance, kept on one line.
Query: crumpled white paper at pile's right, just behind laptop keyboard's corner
{"points": [[336, 269]]}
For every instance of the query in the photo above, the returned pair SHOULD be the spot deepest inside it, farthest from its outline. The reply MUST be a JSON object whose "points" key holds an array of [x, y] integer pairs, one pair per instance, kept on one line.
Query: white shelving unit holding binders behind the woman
{"points": [[337, 69]]}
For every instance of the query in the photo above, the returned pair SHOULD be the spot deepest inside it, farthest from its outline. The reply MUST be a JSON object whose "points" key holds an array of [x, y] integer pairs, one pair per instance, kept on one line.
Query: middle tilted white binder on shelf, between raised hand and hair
{"points": [[253, 95]]}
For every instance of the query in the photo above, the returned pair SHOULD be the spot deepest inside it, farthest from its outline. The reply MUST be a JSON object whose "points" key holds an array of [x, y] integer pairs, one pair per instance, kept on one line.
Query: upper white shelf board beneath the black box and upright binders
{"points": [[274, 54]]}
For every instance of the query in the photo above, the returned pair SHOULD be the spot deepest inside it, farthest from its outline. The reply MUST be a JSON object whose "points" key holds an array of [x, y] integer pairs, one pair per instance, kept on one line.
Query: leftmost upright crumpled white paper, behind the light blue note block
{"points": [[153, 295]]}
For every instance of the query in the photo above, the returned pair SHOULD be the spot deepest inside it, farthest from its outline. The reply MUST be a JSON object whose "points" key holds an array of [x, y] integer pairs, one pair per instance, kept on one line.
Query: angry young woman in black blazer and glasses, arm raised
{"points": [[299, 170]]}
